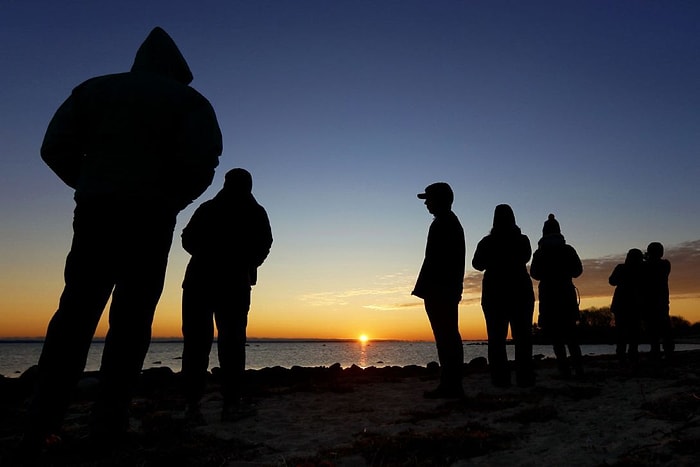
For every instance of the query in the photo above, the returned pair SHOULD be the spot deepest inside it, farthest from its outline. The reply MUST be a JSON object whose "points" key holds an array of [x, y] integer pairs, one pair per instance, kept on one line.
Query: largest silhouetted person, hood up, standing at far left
{"points": [[137, 147]]}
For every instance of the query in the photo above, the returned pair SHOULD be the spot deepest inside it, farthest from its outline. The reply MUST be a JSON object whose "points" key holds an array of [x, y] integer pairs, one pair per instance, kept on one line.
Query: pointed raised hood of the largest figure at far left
{"points": [[159, 54]]}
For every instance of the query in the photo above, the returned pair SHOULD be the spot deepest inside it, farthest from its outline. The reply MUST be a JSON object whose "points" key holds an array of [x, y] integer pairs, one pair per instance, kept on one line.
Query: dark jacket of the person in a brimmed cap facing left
{"points": [[442, 273]]}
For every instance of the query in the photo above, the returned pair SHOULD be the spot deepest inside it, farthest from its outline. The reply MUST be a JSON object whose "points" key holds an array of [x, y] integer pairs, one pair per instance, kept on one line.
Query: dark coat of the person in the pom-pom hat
{"points": [[555, 264]]}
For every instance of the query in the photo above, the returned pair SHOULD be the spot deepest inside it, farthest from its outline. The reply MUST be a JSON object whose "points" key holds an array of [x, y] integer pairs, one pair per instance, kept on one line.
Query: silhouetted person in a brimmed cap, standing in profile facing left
{"points": [[440, 283]]}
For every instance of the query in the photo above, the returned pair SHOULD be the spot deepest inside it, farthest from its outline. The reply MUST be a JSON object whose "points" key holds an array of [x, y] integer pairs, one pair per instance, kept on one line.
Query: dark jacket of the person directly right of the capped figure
{"points": [[503, 257]]}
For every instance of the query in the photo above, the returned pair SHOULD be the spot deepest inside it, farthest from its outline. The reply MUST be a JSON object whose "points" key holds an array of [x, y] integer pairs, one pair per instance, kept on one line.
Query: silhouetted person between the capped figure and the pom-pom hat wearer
{"points": [[507, 297]]}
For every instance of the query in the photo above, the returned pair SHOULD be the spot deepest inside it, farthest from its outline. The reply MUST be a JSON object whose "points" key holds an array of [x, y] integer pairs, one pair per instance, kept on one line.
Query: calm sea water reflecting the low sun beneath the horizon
{"points": [[16, 357]]}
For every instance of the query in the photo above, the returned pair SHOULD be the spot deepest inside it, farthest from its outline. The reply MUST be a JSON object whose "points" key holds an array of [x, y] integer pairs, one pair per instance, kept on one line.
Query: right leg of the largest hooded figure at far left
{"points": [[145, 236]]}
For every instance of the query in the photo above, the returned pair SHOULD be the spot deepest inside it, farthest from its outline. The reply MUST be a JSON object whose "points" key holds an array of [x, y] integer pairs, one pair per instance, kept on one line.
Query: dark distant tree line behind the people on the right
{"points": [[597, 326]]}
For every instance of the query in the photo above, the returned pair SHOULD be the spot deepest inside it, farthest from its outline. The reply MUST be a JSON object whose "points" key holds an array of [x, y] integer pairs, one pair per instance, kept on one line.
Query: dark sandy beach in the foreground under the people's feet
{"points": [[377, 416]]}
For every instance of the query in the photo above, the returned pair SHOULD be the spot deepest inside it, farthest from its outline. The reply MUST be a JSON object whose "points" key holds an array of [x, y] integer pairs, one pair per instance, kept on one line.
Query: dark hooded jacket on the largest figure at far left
{"points": [[144, 135]]}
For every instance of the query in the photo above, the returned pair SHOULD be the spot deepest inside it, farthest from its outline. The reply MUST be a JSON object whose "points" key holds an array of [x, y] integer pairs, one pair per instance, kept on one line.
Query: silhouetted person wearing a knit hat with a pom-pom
{"points": [[555, 264]]}
